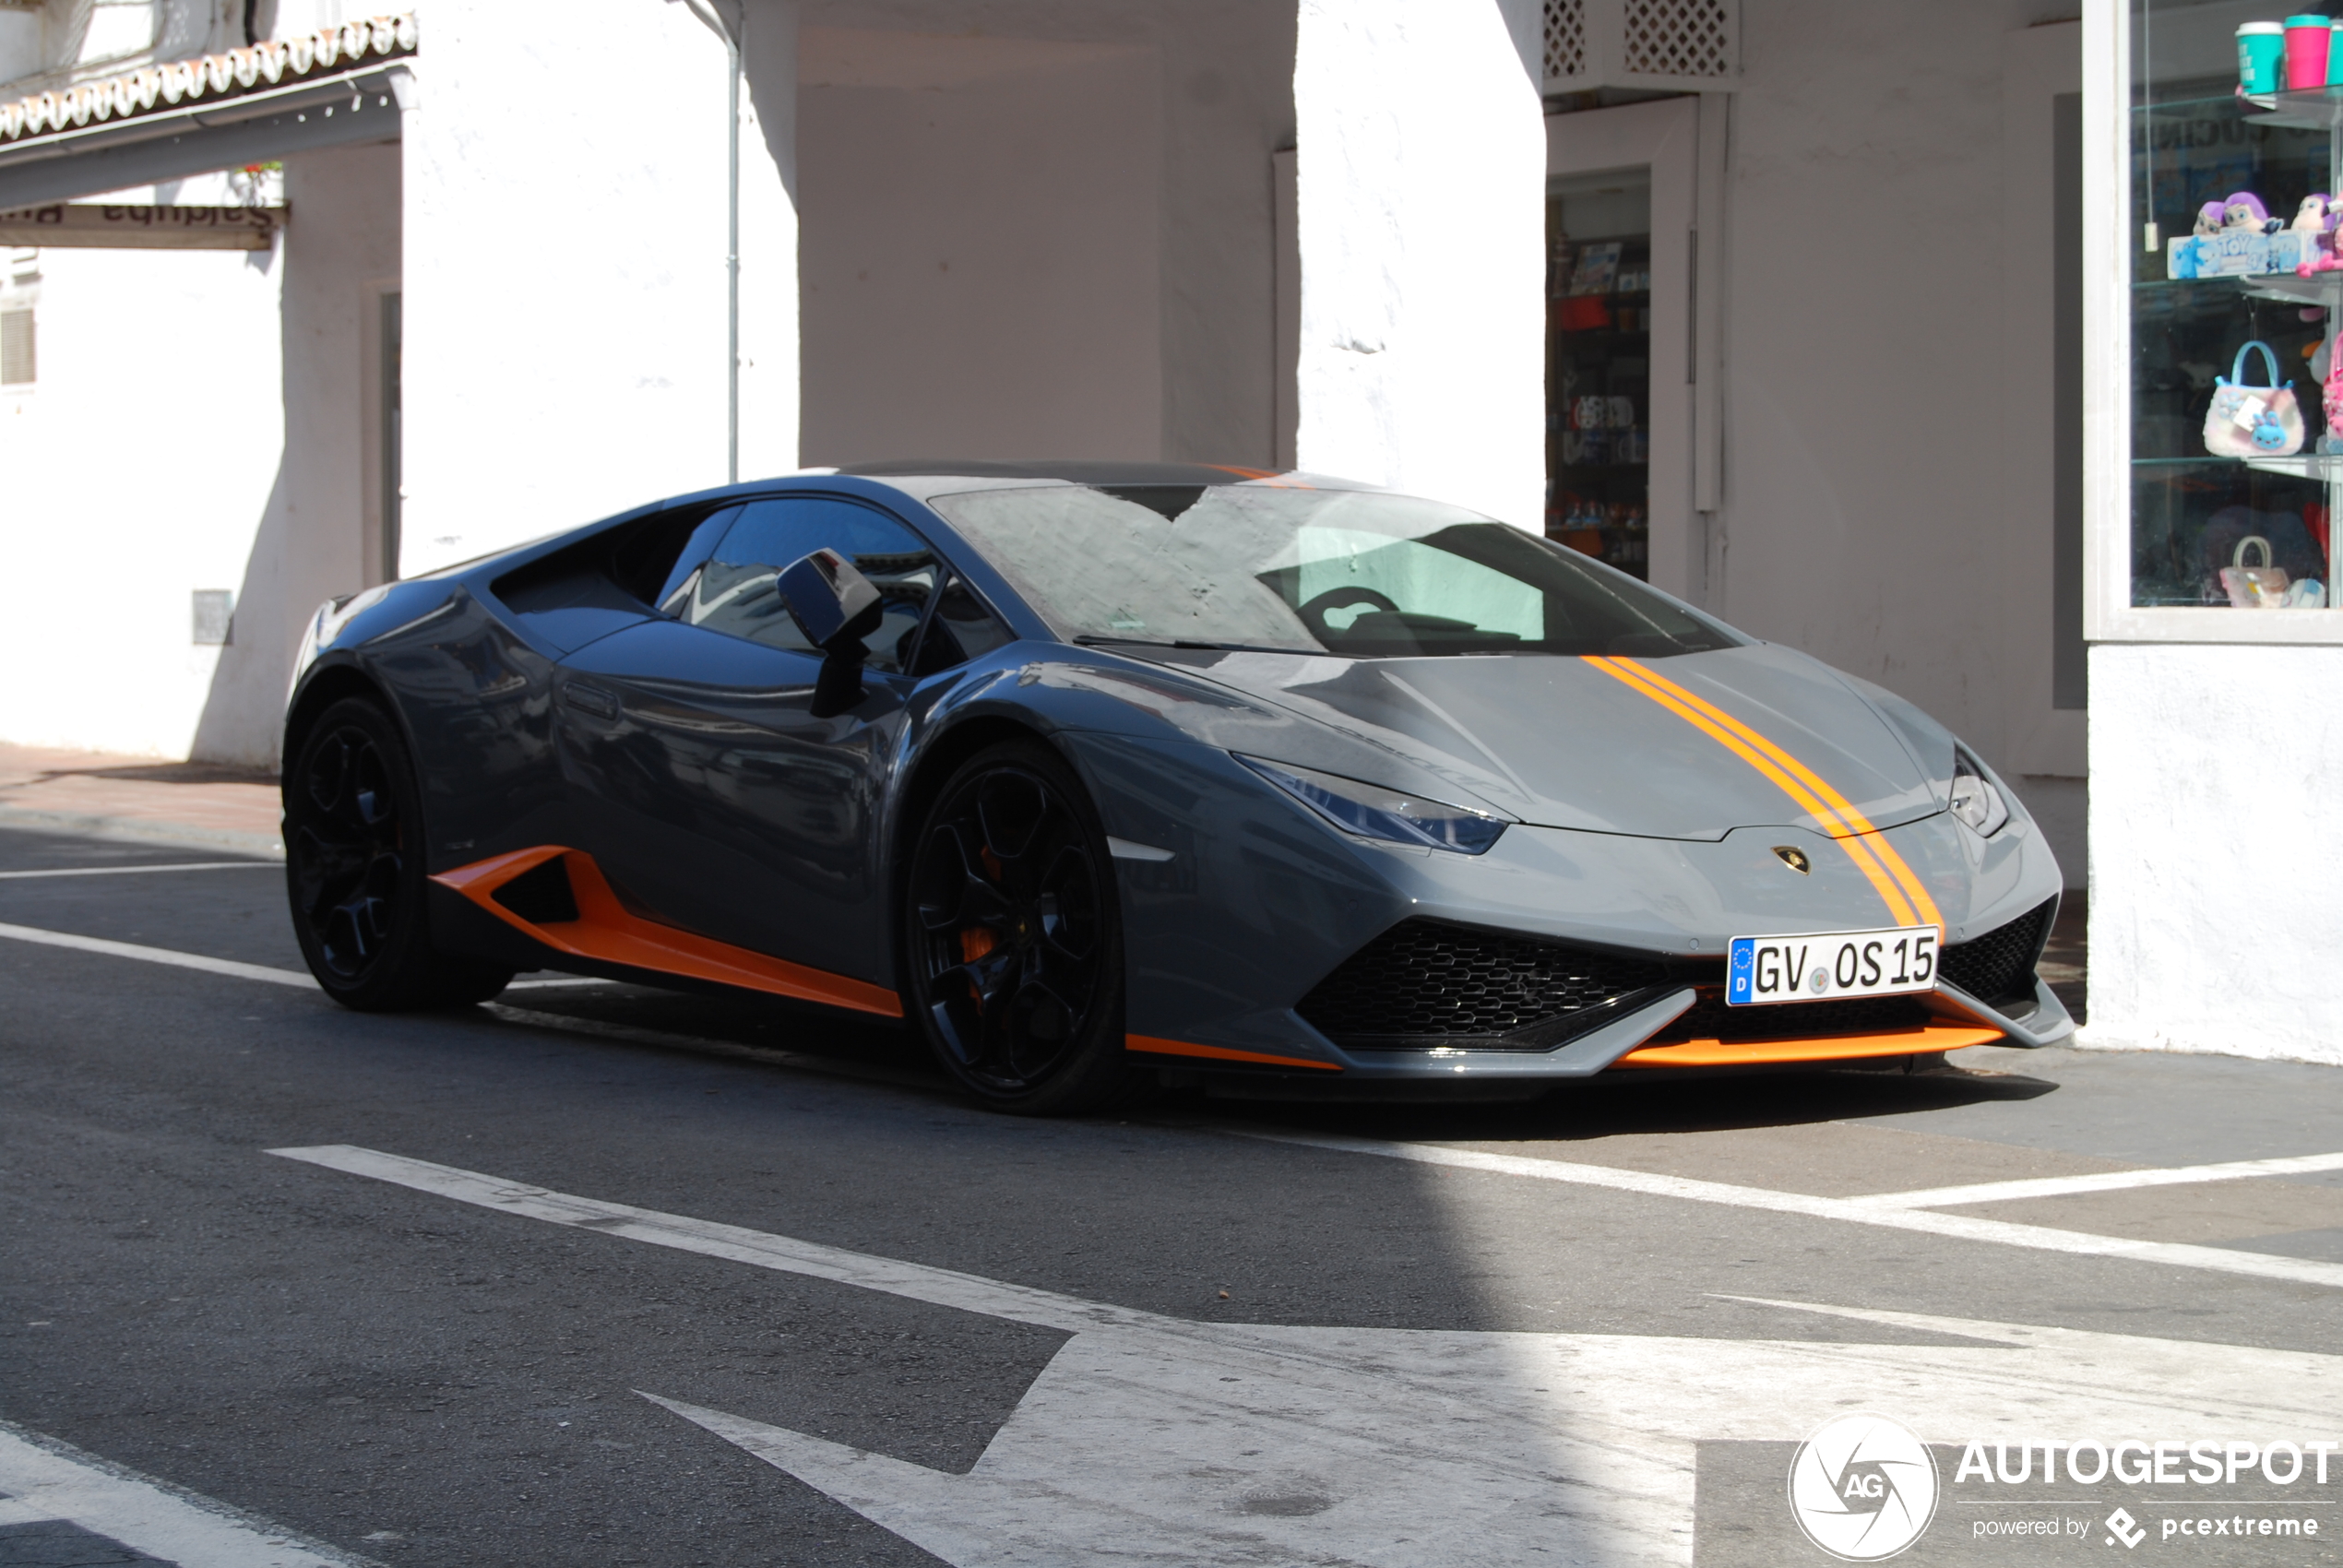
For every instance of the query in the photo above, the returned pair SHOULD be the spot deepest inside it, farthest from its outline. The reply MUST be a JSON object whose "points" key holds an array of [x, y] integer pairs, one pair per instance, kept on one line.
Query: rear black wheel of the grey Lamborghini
{"points": [[355, 871]]}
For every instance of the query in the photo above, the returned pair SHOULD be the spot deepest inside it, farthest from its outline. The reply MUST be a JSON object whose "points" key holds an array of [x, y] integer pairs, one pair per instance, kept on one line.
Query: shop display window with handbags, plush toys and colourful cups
{"points": [[2236, 289]]}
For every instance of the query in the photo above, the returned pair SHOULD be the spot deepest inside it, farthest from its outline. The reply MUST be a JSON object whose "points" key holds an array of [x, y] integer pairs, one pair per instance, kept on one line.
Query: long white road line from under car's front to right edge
{"points": [[1854, 1211]]}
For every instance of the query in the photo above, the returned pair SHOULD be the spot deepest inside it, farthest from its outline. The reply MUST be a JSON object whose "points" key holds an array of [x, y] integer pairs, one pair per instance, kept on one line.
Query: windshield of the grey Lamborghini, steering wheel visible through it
{"points": [[1311, 573]]}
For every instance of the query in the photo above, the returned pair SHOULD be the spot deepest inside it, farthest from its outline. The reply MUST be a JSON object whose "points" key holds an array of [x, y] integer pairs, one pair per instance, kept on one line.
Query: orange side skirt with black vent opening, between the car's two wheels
{"points": [[608, 934]]}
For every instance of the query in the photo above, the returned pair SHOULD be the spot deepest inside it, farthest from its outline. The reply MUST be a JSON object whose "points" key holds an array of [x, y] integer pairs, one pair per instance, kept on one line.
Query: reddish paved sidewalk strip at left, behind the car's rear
{"points": [[189, 803]]}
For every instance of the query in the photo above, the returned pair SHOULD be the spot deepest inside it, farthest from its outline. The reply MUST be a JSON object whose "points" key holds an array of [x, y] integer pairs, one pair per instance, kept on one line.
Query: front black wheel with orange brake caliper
{"points": [[1013, 936]]}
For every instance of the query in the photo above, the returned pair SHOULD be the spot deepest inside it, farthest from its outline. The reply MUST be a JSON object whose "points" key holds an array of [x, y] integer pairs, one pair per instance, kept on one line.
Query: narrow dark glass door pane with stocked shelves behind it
{"points": [[1599, 369]]}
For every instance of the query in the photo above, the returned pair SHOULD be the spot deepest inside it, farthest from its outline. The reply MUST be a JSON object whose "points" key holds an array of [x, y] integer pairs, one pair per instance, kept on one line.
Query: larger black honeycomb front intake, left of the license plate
{"points": [[1454, 986]]}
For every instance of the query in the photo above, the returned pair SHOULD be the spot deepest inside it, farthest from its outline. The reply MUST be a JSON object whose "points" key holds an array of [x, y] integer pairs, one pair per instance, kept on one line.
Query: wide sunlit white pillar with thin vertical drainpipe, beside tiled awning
{"points": [[566, 285]]}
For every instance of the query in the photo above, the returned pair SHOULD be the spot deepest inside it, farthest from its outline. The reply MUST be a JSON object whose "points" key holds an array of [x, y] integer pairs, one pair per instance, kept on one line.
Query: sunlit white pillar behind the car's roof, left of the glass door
{"points": [[1421, 214]]}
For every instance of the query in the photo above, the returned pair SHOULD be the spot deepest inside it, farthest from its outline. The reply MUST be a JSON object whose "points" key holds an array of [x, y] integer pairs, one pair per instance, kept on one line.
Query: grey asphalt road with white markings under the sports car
{"points": [[866, 1323]]}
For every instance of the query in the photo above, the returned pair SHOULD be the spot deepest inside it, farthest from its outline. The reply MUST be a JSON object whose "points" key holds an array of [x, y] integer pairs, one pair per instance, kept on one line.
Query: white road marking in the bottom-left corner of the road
{"points": [[46, 1480]]}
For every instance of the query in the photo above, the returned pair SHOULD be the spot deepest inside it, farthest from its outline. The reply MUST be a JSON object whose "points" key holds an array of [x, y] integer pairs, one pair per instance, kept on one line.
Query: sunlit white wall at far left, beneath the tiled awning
{"points": [[135, 472]]}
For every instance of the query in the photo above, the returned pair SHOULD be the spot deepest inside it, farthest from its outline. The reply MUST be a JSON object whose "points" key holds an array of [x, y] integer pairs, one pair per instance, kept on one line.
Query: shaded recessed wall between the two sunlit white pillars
{"points": [[1100, 184]]}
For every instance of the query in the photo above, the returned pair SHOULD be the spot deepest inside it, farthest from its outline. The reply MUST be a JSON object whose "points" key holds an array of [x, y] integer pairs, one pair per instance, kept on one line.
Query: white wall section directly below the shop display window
{"points": [[2215, 868]]}
